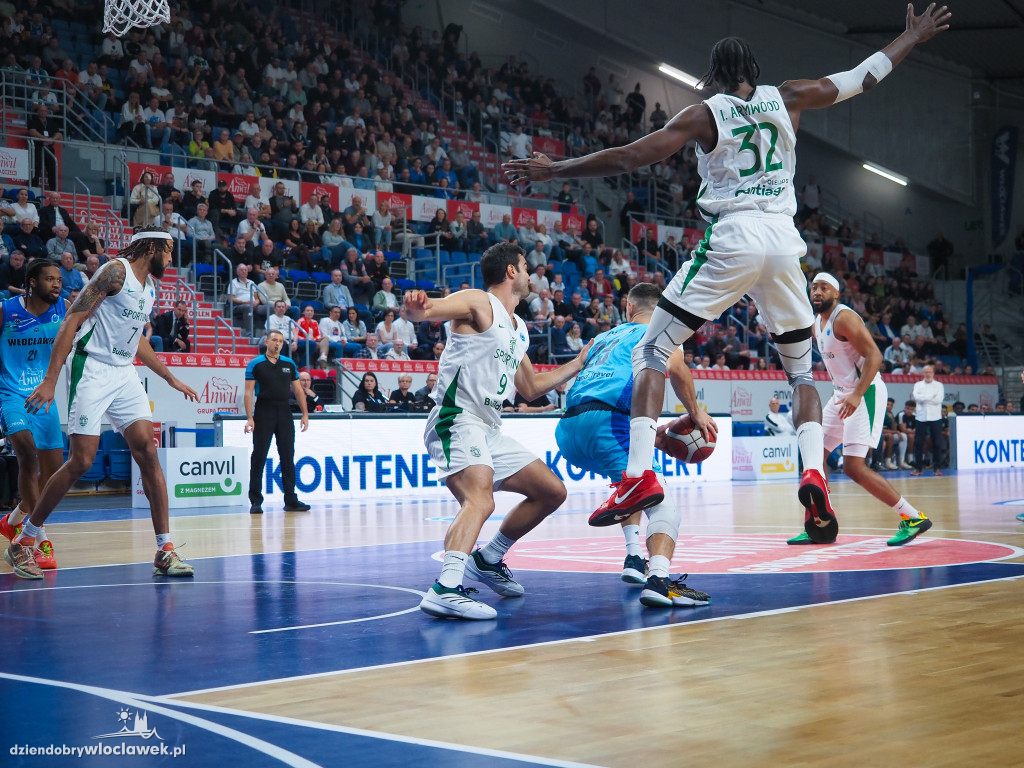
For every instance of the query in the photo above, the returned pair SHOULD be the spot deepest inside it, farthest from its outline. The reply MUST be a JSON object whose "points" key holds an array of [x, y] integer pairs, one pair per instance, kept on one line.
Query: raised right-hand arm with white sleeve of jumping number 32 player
{"points": [[817, 95]]}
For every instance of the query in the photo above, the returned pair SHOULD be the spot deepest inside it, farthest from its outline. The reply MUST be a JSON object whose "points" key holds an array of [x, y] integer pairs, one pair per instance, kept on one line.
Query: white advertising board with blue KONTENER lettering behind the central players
{"points": [[365, 457]]}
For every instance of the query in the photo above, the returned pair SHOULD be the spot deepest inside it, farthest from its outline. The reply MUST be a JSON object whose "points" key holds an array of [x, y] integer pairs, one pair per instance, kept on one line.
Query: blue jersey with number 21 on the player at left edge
{"points": [[26, 343]]}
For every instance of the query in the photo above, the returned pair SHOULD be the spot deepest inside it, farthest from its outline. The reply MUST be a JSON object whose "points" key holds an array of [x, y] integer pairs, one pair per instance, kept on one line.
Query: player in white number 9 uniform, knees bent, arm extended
{"points": [[484, 365]]}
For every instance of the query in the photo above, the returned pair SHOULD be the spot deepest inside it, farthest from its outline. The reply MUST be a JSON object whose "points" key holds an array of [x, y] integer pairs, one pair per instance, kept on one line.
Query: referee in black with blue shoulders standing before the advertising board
{"points": [[270, 378]]}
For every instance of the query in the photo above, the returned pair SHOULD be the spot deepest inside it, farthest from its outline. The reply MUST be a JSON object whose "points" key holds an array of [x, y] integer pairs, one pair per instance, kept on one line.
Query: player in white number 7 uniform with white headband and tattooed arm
{"points": [[105, 325]]}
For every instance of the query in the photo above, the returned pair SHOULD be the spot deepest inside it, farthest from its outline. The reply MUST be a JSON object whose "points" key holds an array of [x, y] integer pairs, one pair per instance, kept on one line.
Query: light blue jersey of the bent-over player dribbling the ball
{"points": [[608, 375]]}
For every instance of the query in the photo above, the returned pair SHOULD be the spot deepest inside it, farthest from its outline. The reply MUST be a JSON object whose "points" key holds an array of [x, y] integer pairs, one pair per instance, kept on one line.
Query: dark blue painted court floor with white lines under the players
{"points": [[87, 645]]}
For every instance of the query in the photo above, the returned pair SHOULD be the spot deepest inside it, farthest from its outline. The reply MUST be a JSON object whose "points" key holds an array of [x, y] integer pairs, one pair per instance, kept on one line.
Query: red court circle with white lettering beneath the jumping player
{"points": [[758, 553]]}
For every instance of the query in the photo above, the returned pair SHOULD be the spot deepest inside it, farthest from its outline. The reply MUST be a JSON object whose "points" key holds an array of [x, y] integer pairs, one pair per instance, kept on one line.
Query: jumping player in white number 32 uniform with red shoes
{"points": [[746, 138]]}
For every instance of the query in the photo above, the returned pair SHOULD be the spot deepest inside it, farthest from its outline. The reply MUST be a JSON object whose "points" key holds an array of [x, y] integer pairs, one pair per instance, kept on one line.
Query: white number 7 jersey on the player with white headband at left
{"points": [[112, 334]]}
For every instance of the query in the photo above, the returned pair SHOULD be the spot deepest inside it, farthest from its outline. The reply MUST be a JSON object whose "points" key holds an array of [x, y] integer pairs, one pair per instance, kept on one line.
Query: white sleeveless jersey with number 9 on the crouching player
{"points": [[477, 372]]}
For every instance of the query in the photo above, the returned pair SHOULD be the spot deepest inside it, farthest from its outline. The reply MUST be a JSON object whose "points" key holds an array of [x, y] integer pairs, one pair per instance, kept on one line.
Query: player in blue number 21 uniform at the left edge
{"points": [[28, 327]]}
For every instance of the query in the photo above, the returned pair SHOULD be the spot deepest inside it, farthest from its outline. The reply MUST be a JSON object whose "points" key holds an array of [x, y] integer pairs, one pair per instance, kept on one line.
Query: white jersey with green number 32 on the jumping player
{"points": [[751, 168]]}
